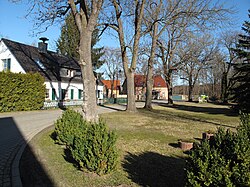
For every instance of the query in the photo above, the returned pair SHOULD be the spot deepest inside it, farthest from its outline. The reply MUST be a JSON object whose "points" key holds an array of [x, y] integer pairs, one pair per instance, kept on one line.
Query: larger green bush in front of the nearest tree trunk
{"points": [[96, 150]]}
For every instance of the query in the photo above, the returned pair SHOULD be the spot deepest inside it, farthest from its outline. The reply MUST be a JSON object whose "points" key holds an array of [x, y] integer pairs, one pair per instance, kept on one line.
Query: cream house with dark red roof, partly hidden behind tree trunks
{"points": [[160, 89]]}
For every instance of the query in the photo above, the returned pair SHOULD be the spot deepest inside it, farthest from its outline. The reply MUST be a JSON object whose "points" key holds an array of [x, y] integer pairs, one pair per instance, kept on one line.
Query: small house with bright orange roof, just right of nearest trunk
{"points": [[111, 88]]}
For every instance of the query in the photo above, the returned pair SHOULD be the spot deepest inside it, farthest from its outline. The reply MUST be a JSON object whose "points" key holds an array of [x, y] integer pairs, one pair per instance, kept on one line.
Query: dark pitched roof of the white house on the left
{"points": [[52, 63]]}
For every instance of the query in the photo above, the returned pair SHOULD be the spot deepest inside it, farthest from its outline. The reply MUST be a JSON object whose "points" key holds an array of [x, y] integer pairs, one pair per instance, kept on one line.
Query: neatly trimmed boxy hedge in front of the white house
{"points": [[21, 92]]}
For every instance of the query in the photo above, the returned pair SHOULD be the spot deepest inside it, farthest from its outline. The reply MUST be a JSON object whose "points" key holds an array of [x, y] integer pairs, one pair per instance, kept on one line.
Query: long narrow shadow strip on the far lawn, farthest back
{"points": [[208, 110]]}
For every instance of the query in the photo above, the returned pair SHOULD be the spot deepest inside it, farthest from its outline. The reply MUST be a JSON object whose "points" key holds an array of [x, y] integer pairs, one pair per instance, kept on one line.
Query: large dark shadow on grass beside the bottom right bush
{"points": [[153, 169]]}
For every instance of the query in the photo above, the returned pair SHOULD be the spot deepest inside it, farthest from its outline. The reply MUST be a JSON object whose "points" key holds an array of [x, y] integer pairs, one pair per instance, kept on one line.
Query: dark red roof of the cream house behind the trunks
{"points": [[140, 81]]}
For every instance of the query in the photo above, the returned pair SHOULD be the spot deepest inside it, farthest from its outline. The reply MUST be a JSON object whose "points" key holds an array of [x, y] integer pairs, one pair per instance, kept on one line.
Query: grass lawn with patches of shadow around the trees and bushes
{"points": [[147, 142]]}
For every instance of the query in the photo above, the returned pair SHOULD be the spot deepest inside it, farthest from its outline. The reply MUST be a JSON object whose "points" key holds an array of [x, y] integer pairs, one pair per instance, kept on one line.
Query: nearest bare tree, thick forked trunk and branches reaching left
{"points": [[85, 14]]}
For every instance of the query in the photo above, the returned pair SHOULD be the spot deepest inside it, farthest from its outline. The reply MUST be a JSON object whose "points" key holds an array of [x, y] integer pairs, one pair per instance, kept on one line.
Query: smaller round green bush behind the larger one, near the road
{"points": [[70, 125]]}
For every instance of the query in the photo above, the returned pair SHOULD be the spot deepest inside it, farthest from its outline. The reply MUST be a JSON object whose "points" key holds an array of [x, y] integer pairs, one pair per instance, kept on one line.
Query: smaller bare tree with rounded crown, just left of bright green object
{"points": [[194, 56]]}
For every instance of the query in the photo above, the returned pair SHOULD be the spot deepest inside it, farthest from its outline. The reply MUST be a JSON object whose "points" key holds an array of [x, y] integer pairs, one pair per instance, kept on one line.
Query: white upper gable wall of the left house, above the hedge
{"points": [[5, 54]]}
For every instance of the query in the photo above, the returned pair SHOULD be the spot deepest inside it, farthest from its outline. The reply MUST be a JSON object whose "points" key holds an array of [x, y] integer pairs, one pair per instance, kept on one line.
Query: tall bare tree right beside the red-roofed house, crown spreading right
{"points": [[185, 17]]}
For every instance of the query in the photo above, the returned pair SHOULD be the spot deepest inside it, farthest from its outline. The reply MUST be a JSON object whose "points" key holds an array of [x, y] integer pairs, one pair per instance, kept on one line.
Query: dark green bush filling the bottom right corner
{"points": [[225, 161]]}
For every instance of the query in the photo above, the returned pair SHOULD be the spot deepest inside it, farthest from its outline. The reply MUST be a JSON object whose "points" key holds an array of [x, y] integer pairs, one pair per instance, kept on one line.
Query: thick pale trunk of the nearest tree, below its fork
{"points": [[89, 106]]}
